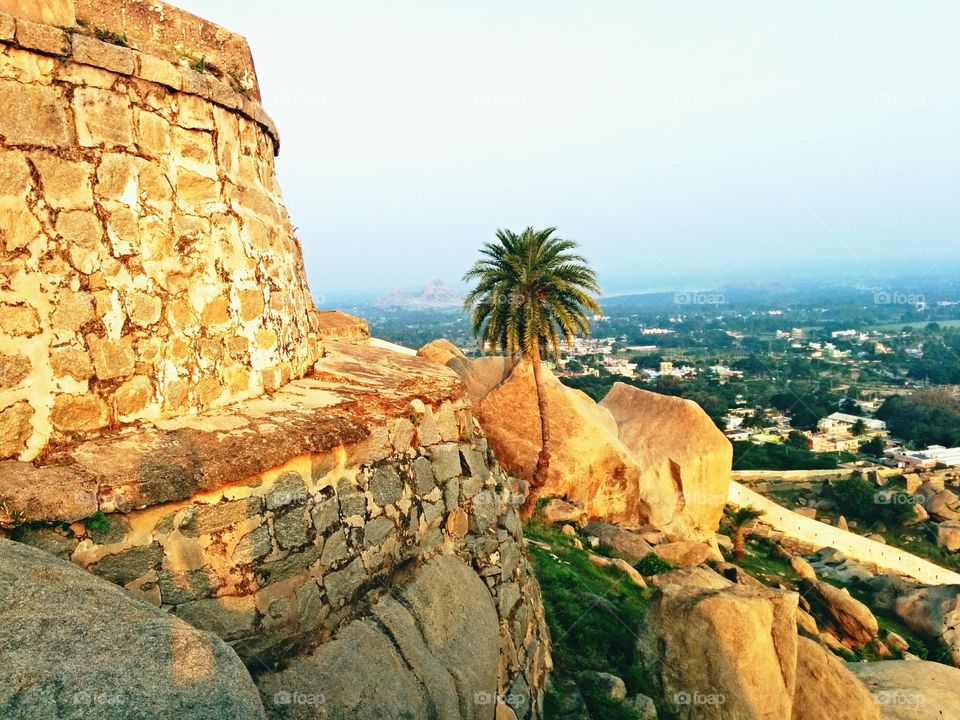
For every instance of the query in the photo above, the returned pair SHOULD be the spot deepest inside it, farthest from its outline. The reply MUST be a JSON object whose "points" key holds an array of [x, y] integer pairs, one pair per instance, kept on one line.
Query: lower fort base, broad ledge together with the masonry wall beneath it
{"points": [[274, 523]]}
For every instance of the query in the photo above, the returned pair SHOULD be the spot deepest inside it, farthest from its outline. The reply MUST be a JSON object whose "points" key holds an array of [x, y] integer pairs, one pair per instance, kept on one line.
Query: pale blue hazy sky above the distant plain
{"points": [[680, 142]]}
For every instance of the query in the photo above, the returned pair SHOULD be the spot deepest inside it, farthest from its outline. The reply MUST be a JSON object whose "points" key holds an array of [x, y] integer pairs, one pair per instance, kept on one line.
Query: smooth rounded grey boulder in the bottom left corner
{"points": [[74, 646]]}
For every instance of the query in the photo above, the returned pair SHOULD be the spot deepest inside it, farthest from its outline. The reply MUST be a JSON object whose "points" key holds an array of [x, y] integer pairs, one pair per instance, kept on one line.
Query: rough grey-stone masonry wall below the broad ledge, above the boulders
{"points": [[277, 564]]}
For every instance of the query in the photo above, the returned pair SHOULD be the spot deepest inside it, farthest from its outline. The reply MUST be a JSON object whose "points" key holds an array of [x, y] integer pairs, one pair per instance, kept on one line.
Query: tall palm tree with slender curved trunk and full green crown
{"points": [[531, 291]]}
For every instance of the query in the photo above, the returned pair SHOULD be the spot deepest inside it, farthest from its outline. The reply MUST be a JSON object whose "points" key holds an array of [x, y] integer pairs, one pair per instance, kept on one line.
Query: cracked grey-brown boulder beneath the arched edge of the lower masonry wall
{"points": [[428, 650]]}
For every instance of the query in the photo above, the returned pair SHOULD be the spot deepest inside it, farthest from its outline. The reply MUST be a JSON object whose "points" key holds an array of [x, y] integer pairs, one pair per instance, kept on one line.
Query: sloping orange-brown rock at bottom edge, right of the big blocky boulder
{"points": [[826, 689]]}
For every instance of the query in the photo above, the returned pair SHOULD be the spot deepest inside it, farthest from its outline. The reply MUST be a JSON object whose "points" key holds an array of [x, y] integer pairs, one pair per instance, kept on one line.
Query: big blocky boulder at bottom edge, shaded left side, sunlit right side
{"points": [[725, 653]]}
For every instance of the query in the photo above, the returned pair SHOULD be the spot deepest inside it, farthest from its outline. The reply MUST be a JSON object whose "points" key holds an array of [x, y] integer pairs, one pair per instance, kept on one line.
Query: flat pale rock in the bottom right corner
{"points": [[911, 690]]}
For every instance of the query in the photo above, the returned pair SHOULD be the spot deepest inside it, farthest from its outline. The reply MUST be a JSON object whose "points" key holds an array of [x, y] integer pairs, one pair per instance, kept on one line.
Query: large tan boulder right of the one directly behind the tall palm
{"points": [[686, 459]]}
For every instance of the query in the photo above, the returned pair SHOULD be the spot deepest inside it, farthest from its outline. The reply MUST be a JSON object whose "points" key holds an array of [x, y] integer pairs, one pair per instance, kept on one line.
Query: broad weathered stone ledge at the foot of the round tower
{"points": [[342, 413]]}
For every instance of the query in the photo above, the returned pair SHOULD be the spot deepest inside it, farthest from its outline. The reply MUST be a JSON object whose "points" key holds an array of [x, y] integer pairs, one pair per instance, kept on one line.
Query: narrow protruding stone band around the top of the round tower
{"points": [[141, 64]]}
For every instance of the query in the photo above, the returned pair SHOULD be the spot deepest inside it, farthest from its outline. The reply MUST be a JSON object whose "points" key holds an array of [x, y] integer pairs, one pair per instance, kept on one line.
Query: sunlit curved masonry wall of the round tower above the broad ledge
{"points": [[147, 264]]}
